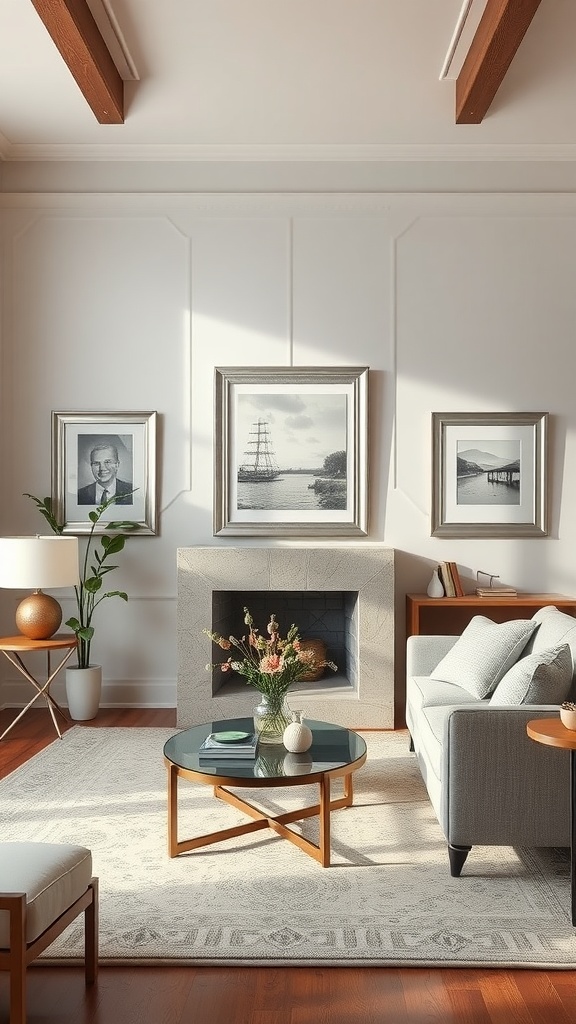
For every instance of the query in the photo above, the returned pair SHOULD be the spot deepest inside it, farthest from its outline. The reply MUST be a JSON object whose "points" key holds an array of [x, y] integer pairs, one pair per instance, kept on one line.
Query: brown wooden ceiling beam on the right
{"points": [[499, 36]]}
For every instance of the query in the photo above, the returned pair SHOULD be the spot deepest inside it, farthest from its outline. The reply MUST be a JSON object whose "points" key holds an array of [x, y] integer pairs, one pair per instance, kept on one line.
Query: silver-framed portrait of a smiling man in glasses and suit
{"points": [[128, 450]]}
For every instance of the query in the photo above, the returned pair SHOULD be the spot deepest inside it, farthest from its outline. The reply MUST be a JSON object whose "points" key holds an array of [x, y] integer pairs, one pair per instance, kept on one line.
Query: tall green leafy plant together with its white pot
{"points": [[84, 684]]}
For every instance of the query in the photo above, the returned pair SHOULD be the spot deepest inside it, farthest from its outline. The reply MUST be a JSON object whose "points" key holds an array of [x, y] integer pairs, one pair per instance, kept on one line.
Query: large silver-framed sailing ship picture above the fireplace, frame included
{"points": [[292, 451]]}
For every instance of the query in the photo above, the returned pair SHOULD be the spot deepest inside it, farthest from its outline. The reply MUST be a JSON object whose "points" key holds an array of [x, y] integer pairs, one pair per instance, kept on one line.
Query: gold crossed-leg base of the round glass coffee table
{"points": [[278, 824]]}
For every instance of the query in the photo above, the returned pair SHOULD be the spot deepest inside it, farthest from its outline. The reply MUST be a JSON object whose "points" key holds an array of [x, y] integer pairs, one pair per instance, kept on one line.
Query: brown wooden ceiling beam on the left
{"points": [[76, 35]]}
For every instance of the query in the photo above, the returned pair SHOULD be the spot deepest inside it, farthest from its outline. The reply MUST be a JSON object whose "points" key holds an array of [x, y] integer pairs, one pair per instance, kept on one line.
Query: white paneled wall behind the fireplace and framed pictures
{"points": [[128, 303]]}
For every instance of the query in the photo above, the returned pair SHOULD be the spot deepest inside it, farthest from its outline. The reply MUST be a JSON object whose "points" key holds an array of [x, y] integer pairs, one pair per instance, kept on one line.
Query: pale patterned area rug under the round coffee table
{"points": [[388, 899]]}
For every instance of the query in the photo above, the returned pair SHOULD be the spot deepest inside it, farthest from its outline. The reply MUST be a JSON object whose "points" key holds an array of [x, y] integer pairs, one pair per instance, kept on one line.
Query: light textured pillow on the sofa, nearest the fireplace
{"points": [[484, 654]]}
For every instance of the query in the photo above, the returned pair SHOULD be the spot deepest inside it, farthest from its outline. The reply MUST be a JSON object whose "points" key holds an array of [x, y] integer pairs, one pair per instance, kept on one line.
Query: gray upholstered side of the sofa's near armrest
{"points": [[501, 787]]}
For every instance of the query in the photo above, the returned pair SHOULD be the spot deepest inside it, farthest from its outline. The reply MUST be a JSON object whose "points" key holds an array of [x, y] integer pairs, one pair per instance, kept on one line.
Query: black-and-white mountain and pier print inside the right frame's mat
{"points": [[488, 473]]}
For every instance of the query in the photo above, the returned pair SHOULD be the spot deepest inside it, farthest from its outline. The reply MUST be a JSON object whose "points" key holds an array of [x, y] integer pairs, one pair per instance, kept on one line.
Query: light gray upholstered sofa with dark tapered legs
{"points": [[489, 784]]}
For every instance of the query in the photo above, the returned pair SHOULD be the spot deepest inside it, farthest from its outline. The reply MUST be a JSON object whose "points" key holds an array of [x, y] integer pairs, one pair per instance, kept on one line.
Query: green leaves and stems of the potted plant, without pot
{"points": [[95, 567]]}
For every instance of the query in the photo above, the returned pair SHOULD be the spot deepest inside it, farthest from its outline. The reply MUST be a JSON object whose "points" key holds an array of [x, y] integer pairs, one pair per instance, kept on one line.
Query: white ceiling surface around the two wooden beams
{"points": [[341, 79]]}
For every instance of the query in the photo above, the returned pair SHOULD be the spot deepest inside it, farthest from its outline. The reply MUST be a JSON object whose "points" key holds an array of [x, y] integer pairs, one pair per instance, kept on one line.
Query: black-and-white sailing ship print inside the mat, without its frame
{"points": [[293, 452]]}
